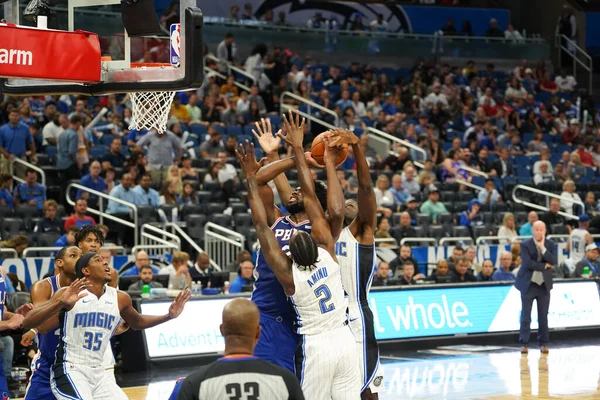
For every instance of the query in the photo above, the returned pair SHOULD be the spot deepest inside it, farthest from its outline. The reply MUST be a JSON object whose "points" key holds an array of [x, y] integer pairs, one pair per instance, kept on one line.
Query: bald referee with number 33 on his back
{"points": [[239, 374]]}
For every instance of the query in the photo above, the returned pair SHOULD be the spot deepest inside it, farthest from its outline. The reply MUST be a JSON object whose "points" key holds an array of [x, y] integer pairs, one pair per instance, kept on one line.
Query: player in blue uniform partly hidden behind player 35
{"points": [[48, 332]]}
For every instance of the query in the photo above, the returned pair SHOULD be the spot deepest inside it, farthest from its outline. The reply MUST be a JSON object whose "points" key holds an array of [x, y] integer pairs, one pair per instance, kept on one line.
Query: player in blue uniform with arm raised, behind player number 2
{"points": [[278, 340]]}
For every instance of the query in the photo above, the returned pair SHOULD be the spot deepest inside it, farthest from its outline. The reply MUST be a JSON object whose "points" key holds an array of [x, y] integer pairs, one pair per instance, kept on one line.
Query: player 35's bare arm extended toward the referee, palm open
{"points": [[136, 320]]}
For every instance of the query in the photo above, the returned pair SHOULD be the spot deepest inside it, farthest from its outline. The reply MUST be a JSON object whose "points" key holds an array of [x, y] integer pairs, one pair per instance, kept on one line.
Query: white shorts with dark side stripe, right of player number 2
{"points": [[362, 326]]}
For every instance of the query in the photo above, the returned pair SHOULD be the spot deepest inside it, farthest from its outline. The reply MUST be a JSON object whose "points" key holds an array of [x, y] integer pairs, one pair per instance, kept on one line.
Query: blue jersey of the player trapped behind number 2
{"points": [[268, 294]]}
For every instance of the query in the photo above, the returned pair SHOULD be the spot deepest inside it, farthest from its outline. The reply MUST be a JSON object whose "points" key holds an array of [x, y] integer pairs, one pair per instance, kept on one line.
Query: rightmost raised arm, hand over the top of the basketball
{"points": [[366, 220]]}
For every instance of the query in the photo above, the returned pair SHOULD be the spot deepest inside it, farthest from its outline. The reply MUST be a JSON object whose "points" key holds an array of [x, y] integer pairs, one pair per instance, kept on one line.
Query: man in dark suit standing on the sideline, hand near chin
{"points": [[534, 281]]}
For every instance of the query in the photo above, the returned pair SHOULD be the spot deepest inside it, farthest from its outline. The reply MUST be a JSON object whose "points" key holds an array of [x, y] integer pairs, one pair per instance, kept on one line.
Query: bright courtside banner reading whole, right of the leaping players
{"points": [[401, 314]]}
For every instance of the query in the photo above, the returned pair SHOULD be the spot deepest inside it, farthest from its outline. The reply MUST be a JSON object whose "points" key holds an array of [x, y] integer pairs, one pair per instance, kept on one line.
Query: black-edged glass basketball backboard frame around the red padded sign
{"points": [[118, 76]]}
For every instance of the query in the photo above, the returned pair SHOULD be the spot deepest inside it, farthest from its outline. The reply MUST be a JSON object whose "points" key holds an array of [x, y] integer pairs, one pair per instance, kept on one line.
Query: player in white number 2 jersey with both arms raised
{"points": [[326, 359]]}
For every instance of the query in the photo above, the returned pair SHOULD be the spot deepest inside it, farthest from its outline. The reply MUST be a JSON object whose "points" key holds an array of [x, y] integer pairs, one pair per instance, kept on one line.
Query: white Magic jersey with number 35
{"points": [[86, 329]]}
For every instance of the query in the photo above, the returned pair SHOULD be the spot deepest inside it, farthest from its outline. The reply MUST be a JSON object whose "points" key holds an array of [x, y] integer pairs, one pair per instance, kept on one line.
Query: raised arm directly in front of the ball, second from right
{"points": [[335, 193]]}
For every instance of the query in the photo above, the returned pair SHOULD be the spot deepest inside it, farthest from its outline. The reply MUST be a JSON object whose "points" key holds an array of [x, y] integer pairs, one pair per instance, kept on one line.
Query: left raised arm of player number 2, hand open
{"points": [[275, 257]]}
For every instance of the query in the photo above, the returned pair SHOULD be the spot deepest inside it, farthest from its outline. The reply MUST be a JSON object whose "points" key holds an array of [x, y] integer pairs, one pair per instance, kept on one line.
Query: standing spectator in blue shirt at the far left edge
{"points": [[15, 141]]}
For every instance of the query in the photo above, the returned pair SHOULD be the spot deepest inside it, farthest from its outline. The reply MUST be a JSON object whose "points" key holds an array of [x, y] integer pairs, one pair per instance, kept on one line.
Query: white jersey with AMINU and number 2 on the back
{"points": [[319, 299]]}
